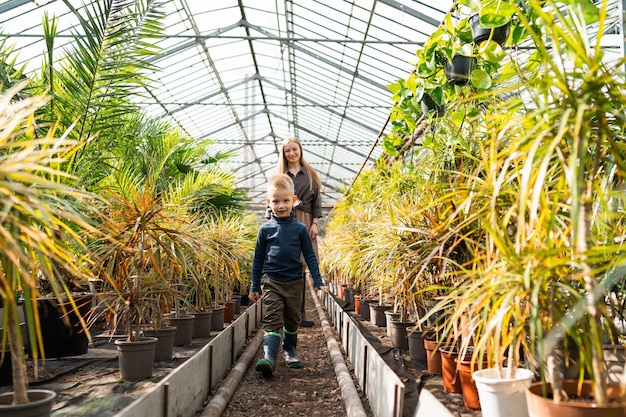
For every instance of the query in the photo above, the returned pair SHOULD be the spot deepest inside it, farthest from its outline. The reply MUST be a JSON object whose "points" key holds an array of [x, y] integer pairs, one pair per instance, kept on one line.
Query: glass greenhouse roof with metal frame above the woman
{"points": [[247, 74]]}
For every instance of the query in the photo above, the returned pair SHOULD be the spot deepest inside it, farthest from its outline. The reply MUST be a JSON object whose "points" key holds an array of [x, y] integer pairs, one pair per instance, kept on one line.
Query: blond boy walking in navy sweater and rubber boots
{"points": [[277, 270]]}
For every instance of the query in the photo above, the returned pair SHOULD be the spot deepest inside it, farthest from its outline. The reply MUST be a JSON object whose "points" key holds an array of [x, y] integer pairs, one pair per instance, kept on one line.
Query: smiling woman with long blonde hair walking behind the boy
{"points": [[307, 187]]}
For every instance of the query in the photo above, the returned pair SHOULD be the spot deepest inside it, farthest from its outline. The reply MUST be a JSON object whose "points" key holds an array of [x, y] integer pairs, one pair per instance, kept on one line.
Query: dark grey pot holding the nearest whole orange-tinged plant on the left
{"points": [[136, 359]]}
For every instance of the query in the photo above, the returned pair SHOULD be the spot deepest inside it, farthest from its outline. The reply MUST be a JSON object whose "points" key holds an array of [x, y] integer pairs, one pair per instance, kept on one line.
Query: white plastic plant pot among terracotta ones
{"points": [[503, 397]]}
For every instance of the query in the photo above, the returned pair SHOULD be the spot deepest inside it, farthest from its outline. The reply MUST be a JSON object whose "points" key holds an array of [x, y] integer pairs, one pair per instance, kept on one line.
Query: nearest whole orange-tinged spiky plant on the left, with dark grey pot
{"points": [[148, 243]]}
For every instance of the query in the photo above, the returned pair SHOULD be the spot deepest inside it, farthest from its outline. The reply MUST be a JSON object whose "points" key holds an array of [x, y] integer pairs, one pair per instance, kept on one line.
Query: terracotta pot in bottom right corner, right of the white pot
{"points": [[539, 406]]}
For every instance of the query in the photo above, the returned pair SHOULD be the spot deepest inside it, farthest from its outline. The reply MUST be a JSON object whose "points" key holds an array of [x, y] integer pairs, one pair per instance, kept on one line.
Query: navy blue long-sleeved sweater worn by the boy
{"points": [[277, 252]]}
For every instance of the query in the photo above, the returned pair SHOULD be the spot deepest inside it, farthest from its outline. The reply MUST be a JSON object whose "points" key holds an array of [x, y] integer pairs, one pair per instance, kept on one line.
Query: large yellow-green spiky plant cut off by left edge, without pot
{"points": [[40, 224]]}
